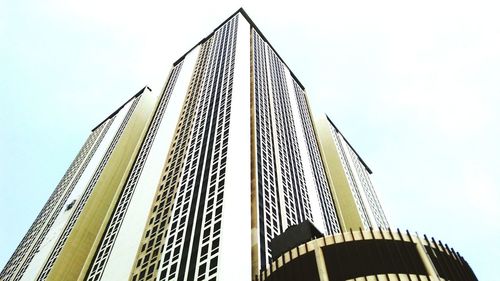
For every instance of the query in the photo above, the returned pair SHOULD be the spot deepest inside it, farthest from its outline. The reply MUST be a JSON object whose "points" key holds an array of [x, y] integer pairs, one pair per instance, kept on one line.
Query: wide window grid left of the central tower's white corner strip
{"points": [[193, 182]]}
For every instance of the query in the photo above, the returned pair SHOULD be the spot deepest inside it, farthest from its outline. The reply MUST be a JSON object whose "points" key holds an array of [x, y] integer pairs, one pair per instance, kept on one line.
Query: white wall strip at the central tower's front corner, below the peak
{"points": [[235, 247]]}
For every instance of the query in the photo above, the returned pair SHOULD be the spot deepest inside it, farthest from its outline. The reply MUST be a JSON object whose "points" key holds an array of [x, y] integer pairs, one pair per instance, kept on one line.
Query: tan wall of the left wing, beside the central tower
{"points": [[75, 256]]}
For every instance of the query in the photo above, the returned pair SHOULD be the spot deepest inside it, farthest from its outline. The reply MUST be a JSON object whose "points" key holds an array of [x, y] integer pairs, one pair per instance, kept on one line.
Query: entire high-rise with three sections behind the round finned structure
{"points": [[194, 184]]}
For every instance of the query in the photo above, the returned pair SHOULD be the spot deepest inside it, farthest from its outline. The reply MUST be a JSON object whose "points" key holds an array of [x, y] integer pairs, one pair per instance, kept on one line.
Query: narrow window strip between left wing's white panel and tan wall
{"points": [[81, 203]]}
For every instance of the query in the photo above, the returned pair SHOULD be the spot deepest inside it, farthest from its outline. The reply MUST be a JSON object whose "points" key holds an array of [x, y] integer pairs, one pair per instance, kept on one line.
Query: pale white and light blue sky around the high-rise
{"points": [[413, 85]]}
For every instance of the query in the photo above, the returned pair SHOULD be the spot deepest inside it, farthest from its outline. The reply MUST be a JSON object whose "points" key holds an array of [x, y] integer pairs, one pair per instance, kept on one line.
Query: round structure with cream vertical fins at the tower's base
{"points": [[372, 255]]}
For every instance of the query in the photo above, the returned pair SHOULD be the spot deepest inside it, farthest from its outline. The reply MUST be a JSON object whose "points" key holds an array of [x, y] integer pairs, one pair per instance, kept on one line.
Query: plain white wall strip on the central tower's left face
{"points": [[129, 237]]}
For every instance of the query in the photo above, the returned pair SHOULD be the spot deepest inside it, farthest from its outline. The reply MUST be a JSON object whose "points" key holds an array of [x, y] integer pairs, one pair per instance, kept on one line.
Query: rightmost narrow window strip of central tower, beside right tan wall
{"points": [[323, 189]]}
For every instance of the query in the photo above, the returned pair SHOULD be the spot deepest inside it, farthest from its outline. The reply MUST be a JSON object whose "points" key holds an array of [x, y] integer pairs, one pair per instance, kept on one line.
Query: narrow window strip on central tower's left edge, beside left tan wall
{"points": [[109, 237]]}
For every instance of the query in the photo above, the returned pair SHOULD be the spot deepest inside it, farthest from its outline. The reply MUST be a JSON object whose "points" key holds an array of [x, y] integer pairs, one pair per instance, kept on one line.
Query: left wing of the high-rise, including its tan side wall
{"points": [[70, 221]]}
